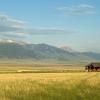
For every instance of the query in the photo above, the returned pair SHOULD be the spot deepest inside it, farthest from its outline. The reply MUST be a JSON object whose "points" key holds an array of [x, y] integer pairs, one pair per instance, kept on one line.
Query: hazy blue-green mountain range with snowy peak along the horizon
{"points": [[14, 50]]}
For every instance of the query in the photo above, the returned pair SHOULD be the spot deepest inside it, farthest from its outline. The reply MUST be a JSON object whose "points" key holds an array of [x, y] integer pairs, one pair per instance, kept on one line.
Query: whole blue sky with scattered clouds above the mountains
{"points": [[72, 23]]}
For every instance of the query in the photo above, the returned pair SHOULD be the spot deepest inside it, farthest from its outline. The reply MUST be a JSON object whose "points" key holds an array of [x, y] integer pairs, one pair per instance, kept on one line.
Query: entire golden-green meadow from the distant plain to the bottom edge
{"points": [[48, 82]]}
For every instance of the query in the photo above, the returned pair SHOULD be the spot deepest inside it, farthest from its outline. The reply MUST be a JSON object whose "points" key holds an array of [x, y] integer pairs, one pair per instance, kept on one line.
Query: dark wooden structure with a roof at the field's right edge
{"points": [[93, 67]]}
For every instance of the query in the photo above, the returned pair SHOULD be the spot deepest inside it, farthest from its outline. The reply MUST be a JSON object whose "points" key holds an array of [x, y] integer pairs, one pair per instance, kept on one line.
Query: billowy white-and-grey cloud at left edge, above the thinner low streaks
{"points": [[10, 24]]}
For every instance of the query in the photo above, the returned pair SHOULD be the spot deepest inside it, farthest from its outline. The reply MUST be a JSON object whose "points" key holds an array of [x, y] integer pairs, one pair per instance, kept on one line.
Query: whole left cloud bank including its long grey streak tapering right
{"points": [[16, 29]]}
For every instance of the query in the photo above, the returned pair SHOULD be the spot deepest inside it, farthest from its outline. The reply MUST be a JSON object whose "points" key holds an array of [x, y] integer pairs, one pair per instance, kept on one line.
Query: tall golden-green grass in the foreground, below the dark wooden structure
{"points": [[50, 86]]}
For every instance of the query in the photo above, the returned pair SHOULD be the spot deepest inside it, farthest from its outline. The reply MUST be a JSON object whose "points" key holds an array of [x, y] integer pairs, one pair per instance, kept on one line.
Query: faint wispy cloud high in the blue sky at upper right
{"points": [[82, 9]]}
